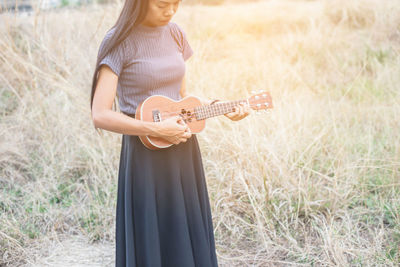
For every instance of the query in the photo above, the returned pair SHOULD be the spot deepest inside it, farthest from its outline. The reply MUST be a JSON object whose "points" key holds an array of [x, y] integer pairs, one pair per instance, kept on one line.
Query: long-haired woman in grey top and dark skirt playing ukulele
{"points": [[163, 212]]}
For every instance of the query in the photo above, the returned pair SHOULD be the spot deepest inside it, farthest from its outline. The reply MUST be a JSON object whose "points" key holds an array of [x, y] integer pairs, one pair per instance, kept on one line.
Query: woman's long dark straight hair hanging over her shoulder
{"points": [[133, 13]]}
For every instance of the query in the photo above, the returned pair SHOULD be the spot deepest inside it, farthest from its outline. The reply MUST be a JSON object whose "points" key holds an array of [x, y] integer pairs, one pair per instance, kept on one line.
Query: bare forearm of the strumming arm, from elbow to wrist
{"points": [[120, 123]]}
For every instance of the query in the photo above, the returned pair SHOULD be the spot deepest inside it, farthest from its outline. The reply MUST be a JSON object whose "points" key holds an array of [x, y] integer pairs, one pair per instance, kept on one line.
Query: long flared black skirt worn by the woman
{"points": [[163, 211]]}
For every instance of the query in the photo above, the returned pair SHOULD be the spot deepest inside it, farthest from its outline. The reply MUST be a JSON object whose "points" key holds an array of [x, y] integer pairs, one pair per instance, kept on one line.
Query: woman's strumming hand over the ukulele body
{"points": [[174, 130]]}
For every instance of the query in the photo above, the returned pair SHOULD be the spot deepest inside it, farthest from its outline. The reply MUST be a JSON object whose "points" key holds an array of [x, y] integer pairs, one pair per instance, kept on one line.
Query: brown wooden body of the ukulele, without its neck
{"points": [[166, 108]]}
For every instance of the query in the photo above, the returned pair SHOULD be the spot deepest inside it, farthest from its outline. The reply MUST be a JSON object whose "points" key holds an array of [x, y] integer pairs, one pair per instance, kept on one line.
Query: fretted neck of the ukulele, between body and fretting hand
{"points": [[209, 111]]}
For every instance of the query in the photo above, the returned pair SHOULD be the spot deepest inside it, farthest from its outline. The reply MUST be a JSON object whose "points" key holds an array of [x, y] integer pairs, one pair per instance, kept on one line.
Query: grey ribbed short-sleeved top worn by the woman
{"points": [[150, 61]]}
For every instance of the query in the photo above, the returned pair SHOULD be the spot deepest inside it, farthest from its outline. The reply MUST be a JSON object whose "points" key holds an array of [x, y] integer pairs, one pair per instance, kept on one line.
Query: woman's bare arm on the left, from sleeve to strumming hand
{"points": [[105, 118]]}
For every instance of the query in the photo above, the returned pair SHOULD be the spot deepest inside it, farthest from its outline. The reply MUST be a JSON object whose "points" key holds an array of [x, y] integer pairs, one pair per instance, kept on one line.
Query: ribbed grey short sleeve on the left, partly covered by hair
{"points": [[114, 58]]}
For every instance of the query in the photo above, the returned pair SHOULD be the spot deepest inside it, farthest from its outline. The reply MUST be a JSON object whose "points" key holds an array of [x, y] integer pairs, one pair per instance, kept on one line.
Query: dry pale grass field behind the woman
{"points": [[316, 182]]}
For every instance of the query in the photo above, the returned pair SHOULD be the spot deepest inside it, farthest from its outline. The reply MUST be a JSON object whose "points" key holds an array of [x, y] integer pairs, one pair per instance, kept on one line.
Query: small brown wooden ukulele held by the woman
{"points": [[157, 108]]}
